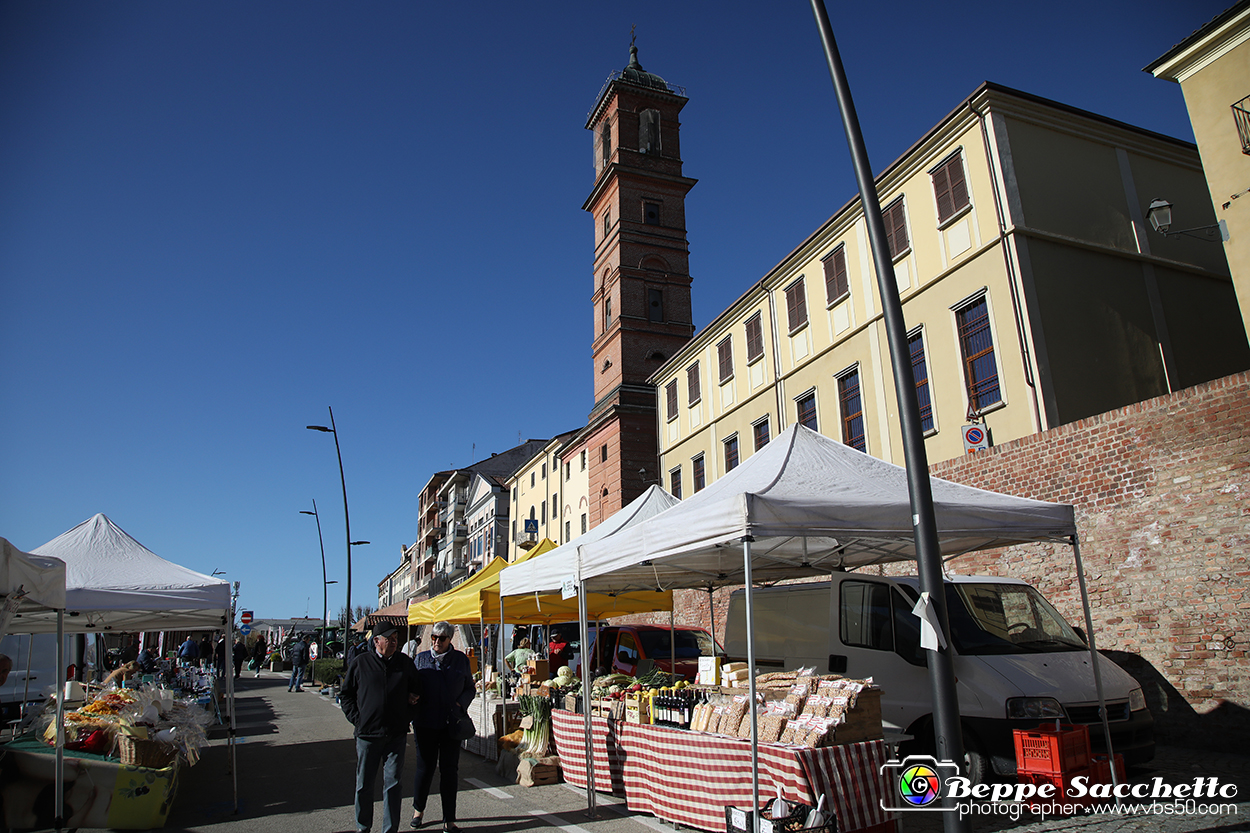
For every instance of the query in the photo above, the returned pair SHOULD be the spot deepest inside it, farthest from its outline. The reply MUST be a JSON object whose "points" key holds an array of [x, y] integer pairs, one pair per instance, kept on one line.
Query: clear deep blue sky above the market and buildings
{"points": [[218, 220]]}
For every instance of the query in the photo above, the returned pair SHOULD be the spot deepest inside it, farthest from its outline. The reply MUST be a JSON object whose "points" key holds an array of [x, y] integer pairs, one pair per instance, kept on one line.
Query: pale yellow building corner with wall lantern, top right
{"points": [[1213, 71]]}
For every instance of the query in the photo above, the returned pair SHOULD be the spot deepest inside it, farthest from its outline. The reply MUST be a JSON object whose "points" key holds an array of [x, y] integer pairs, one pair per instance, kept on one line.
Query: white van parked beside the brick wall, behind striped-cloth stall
{"points": [[1017, 661]]}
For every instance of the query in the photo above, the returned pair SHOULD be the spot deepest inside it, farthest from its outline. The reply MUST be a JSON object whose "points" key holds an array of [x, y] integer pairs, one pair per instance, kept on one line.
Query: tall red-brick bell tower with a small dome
{"points": [[642, 278]]}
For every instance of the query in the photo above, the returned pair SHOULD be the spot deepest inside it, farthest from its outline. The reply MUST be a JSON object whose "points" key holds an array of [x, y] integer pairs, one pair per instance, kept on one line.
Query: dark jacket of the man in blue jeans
{"points": [[374, 695]]}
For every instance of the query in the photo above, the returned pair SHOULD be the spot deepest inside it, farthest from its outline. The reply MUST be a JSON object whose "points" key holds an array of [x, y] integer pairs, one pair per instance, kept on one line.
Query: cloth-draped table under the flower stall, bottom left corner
{"points": [[101, 792]]}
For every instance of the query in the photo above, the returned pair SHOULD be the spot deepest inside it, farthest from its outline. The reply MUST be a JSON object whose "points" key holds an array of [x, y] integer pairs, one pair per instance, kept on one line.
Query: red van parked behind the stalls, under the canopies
{"points": [[624, 649]]}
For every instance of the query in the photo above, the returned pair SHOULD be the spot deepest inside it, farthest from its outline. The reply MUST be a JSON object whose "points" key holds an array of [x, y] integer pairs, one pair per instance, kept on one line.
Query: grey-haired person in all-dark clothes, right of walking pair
{"points": [[447, 692]]}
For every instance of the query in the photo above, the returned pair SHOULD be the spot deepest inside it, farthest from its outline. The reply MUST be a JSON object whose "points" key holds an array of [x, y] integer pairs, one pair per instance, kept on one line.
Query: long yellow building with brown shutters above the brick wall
{"points": [[1033, 288]]}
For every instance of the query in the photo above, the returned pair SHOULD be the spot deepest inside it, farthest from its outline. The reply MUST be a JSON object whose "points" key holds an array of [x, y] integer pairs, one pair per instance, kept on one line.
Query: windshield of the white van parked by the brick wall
{"points": [[1007, 620]]}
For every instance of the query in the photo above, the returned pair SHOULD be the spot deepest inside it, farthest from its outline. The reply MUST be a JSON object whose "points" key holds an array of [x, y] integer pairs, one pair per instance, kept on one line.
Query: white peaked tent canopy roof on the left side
{"points": [[116, 583]]}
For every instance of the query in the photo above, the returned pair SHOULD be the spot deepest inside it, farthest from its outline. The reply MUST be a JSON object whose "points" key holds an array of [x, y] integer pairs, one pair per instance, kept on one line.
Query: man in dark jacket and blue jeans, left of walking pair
{"points": [[378, 696]]}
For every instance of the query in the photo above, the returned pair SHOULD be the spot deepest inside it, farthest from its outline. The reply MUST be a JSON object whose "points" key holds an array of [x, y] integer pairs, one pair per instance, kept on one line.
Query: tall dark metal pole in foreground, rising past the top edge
{"points": [[942, 672]]}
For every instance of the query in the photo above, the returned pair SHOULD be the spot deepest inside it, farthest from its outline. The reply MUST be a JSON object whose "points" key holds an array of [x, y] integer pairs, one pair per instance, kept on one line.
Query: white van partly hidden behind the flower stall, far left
{"points": [[37, 682]]}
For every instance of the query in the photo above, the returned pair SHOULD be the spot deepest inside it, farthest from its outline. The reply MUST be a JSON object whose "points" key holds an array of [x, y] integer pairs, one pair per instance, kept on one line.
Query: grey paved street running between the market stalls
{"points": [[297, 762]]}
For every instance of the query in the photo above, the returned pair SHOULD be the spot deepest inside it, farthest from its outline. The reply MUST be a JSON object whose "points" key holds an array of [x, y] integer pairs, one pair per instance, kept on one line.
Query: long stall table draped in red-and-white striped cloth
{"points": [[691, 777]]}
